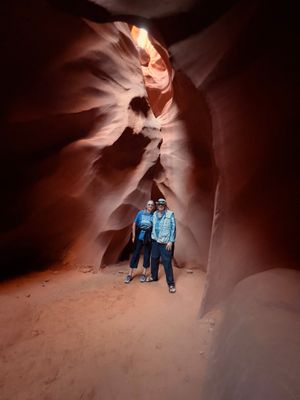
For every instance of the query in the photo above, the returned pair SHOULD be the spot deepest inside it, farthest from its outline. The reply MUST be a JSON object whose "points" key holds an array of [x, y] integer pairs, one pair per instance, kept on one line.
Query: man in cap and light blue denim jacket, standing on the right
{"points": [[163, 239]]}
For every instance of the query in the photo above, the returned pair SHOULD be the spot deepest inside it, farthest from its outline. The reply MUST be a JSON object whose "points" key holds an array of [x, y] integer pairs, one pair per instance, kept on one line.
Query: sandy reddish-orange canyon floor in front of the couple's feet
{"points": [[66, 335]]}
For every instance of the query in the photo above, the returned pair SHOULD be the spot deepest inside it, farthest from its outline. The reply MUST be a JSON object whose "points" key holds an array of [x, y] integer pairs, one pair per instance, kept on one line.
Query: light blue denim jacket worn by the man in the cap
{"points": [[167, 231]]}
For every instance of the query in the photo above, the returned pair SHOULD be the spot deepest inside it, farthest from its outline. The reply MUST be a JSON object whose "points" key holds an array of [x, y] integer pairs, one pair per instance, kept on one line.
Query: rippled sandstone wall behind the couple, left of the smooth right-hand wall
{"points": [[82, 150]]}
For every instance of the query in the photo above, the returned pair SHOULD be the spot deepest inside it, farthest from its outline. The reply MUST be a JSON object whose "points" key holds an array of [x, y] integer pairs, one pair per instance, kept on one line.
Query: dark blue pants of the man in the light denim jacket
{"points": [[159, 251]]}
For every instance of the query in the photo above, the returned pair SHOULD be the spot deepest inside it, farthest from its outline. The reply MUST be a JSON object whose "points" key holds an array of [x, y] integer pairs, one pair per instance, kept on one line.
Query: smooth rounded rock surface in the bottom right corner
{"points": [[256, 356]]}
